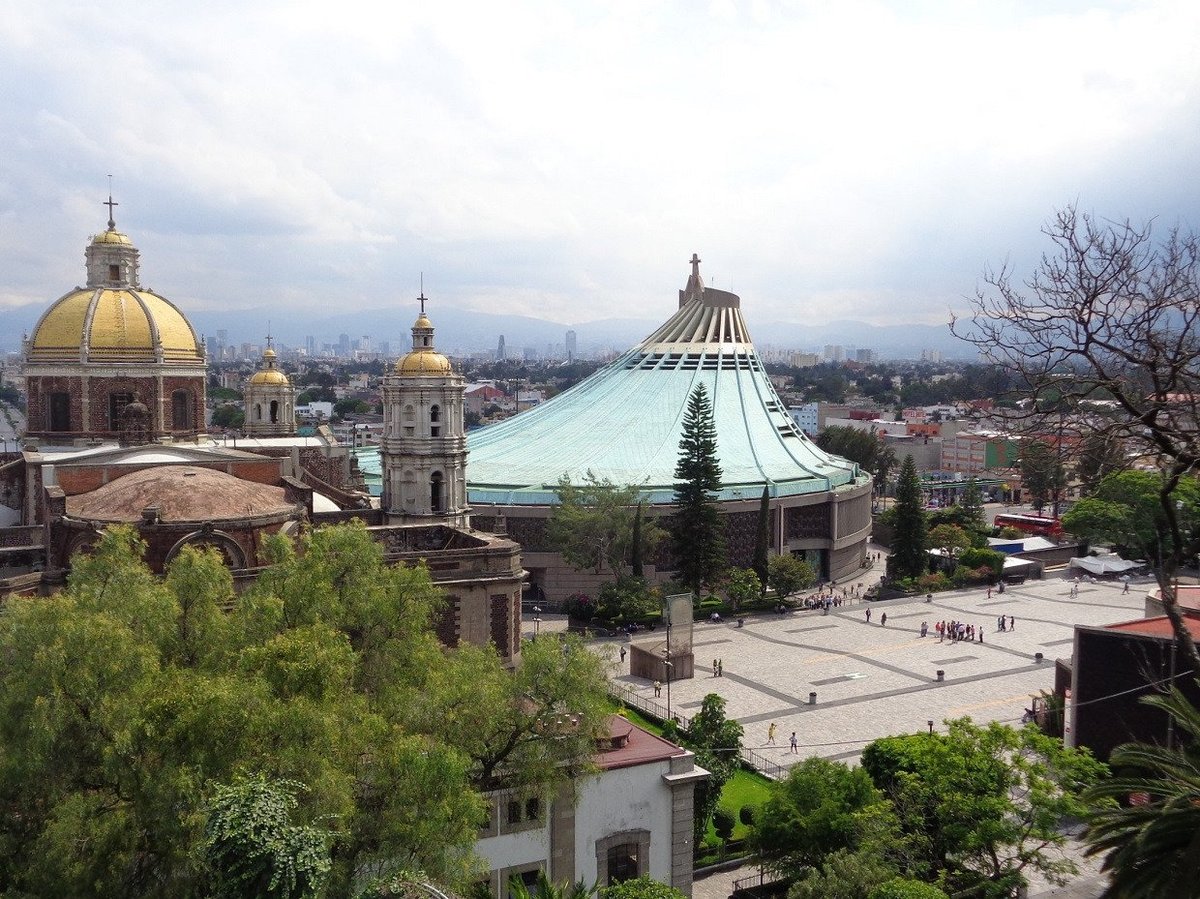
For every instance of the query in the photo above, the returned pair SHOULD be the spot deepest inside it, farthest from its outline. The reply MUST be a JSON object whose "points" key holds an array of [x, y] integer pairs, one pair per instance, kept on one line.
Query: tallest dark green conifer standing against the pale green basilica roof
{"points": [[698, 532]]}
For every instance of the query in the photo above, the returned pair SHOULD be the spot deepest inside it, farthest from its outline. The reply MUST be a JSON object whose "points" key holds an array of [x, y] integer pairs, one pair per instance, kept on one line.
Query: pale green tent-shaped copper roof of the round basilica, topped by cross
{"points": [[625, 423]]}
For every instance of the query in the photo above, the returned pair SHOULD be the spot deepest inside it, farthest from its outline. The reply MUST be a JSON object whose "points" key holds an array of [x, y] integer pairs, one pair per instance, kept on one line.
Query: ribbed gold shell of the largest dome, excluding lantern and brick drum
{"points": [[116, 326]]}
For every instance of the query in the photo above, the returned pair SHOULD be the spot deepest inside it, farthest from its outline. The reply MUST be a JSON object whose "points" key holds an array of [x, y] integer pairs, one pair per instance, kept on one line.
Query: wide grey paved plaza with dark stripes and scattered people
{"points": [[873, 680]]}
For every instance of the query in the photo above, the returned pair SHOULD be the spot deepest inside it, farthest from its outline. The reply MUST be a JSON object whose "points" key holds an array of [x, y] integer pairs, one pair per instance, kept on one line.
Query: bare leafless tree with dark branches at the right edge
{"points": [[1111, 314]]}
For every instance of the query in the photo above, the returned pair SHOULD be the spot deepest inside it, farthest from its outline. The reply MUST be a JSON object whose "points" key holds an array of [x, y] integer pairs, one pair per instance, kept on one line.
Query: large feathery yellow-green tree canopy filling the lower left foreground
{"points": [[127, 700]]}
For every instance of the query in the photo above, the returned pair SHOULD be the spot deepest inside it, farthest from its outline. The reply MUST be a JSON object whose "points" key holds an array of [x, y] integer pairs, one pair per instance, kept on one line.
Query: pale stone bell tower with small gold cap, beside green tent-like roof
{"points": [[424, 447]]}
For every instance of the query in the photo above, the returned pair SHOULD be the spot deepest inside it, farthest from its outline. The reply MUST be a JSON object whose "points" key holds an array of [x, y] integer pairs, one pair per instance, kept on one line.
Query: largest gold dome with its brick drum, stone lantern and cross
{"points": [[111, 344]]}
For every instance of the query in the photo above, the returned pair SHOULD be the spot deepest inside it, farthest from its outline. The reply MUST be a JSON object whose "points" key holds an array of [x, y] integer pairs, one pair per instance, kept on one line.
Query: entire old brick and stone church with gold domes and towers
{"points": [[116, 381]]}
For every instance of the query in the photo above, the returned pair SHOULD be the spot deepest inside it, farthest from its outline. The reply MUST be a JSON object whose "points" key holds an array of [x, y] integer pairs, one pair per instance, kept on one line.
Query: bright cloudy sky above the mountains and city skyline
{"points": [[830, 160]]}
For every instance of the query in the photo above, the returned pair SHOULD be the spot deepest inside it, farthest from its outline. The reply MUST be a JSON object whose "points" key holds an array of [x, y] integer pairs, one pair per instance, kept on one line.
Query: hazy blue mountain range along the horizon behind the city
{"points": [[461, 332]]}
